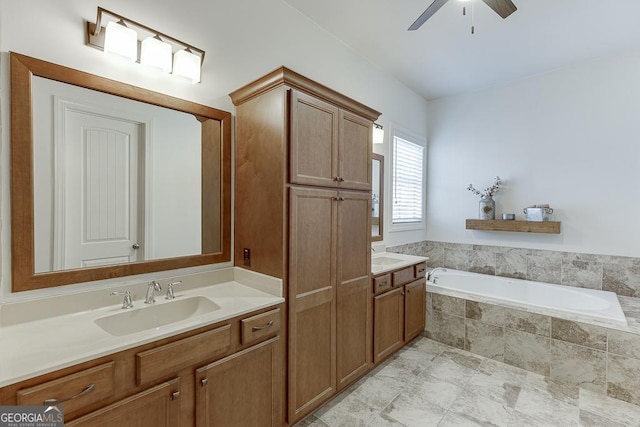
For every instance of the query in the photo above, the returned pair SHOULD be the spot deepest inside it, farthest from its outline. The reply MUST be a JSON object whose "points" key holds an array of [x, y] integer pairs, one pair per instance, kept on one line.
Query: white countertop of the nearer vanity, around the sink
{"points": [[48, 334]]}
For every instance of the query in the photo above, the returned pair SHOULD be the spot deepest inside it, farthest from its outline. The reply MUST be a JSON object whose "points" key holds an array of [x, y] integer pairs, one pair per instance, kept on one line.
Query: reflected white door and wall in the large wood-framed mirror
{"points": [[116, 181]]}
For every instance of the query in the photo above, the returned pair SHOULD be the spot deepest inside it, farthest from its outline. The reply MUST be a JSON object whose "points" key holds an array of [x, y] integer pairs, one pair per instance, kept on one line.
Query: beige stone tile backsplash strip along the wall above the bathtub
{"points": [[605, 272]]}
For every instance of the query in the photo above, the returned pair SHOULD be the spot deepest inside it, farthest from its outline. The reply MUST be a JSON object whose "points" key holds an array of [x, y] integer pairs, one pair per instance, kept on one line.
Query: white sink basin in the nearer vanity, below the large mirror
{"points": [[154, 316]]}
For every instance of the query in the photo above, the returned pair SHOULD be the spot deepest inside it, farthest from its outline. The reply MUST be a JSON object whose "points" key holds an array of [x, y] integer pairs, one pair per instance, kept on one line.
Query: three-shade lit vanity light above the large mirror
{"points": [[115, 33]]}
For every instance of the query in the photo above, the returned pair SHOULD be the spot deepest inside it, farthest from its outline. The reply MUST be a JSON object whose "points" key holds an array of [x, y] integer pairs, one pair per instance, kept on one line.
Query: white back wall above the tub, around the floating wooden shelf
{"points": [[569, 138]]}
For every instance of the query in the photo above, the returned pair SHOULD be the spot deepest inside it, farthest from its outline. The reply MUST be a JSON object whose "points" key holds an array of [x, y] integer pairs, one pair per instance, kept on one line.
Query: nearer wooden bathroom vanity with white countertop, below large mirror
{"points": [[194, 371]]}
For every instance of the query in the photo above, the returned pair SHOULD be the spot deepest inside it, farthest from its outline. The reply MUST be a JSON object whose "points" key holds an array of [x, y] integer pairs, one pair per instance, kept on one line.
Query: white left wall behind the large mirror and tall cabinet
{"points": [[243, 40]]}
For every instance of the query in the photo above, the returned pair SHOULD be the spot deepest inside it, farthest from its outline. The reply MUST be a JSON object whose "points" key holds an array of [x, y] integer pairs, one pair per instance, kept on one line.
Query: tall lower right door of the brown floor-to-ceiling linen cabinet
{"points": [[354, 329]]}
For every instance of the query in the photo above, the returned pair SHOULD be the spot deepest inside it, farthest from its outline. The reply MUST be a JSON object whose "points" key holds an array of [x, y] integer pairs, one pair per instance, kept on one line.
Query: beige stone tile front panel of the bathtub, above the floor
{"points": [[595, 358]]}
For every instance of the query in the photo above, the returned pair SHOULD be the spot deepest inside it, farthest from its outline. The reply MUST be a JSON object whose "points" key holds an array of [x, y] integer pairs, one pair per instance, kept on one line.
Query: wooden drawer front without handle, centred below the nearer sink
{"points": [[166, 360]]}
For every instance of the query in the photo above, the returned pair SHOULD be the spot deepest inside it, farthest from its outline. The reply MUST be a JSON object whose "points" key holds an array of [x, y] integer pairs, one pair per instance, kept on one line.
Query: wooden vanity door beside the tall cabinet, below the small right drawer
{"points": [[241, 390]]}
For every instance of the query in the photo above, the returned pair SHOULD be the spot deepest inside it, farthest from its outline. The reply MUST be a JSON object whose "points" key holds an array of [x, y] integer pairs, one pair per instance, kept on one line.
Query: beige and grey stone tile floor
{"points": [[431, 384]]}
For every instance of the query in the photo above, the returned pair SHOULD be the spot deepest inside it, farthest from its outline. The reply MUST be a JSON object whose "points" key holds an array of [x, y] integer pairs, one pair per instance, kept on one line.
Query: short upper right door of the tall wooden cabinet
{"points": [[354, 161]]}
